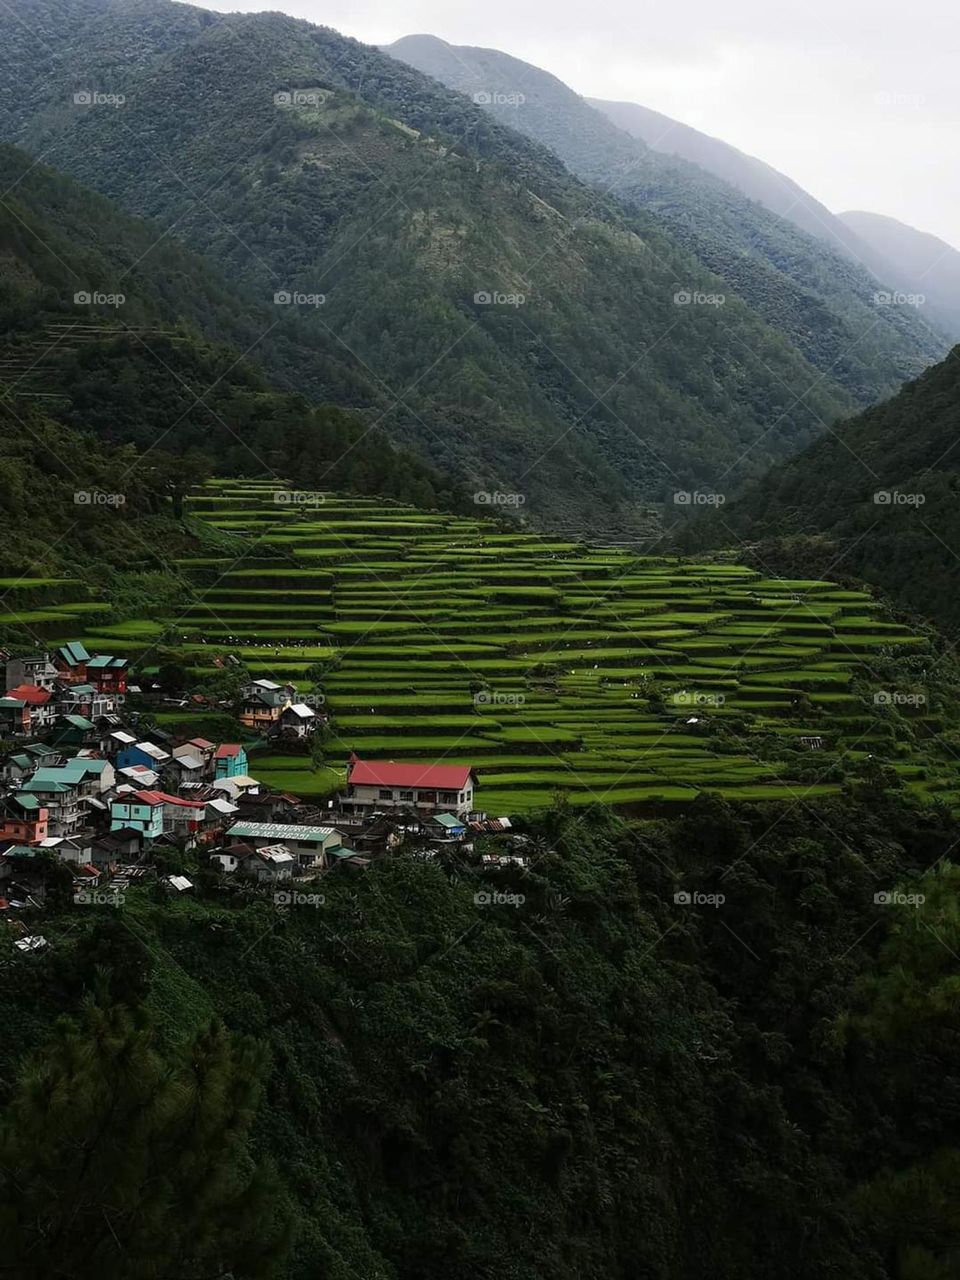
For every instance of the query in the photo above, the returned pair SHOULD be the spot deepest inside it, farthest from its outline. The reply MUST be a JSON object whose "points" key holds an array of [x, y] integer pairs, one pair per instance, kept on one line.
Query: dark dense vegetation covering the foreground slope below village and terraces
{"points": [[589, 1080]]}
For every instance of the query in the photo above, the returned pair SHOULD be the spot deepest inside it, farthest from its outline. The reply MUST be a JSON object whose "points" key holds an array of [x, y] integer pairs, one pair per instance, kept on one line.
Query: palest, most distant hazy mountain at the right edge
{"points": [[915, 262]]}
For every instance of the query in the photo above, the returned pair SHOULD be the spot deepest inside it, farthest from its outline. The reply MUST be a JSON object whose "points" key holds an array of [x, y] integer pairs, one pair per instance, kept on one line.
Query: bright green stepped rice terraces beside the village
{"points": [[550, 665]]}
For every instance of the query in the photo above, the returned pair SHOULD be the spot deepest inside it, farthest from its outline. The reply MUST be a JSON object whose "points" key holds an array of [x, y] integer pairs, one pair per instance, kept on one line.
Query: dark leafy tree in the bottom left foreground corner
{"points": [[121, 1162]]}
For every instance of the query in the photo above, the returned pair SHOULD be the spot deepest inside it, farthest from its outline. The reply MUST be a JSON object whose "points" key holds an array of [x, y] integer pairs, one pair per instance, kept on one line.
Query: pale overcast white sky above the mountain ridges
{"points": [[857, 100]]}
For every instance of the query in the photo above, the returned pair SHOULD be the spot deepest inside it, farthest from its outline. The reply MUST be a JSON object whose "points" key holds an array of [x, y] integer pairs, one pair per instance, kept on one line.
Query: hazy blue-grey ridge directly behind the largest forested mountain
{"points": [[816, 296]]}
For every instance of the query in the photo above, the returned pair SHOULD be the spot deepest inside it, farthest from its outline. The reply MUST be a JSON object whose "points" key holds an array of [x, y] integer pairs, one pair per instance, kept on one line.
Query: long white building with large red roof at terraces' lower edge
{"points": [[424, 789]]}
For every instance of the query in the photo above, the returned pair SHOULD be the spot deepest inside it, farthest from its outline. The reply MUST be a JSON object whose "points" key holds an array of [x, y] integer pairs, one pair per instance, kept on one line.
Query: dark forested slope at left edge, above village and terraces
{"points": [[113, 330]]}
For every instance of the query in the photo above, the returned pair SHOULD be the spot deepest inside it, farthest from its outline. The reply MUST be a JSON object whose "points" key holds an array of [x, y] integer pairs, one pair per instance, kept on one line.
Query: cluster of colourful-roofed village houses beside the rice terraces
{"points": [[84, 794]]}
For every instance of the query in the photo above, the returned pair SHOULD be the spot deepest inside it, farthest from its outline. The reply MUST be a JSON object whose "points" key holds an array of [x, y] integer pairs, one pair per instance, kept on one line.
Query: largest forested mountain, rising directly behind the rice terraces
{"points": [[509, 321]]}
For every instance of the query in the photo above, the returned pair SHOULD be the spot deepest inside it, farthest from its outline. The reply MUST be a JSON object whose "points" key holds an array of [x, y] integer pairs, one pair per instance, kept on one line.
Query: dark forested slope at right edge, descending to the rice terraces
{"points": [[877, 499]]}
